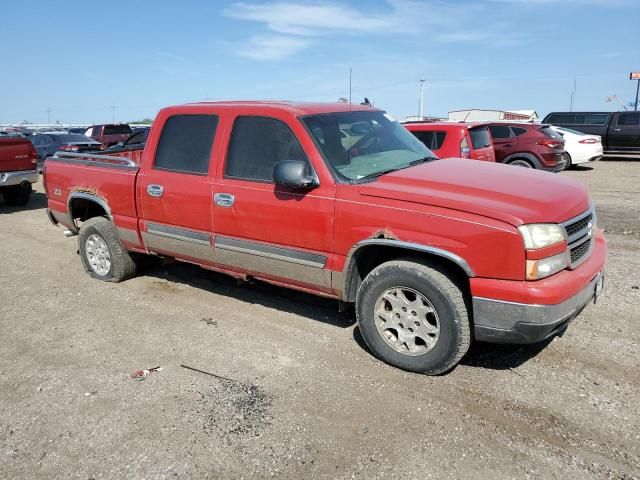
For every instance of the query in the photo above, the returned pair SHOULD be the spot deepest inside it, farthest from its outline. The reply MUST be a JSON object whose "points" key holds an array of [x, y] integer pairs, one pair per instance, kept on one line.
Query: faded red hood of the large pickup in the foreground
{"points": [[514, 195]]}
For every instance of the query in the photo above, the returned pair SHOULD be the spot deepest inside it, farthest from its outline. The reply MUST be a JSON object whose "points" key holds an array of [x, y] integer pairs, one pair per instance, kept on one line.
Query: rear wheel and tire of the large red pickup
{"points": [[102, 254]]}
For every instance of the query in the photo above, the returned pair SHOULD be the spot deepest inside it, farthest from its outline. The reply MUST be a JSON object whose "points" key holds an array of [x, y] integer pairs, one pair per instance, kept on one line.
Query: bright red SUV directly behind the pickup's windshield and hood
{"points": [[455, 140]]}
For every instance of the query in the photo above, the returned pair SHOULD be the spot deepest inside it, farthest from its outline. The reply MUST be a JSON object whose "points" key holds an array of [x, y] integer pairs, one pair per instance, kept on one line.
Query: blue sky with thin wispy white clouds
{"points": [[79, 58]]}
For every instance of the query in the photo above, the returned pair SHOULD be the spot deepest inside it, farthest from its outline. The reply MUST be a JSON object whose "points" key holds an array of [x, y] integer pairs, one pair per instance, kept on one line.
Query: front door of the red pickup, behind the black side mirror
{"points": [[261, 229]]}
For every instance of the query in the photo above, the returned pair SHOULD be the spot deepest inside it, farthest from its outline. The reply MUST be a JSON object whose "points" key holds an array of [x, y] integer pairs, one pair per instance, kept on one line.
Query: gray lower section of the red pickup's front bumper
{"points": [[509, 322]]}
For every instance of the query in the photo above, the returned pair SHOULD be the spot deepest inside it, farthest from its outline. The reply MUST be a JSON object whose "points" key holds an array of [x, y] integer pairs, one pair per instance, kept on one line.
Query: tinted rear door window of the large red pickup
{"points": [[185, 144]]}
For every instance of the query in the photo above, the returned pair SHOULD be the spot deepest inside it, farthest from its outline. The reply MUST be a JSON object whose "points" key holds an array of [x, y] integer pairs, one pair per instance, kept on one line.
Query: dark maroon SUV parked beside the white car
{"points": [[528, 145]]}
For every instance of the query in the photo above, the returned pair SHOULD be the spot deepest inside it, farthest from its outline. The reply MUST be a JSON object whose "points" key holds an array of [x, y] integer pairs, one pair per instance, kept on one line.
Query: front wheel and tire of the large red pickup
{"points": [[384, 325]]}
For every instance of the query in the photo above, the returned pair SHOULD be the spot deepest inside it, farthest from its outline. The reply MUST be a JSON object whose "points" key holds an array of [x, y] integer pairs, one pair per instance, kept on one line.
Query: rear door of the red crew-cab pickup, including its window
{"points": [[175, 187]]}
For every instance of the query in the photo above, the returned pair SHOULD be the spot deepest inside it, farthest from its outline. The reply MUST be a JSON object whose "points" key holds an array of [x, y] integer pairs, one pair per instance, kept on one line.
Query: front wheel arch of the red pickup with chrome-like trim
{"points": [[368, 254]]}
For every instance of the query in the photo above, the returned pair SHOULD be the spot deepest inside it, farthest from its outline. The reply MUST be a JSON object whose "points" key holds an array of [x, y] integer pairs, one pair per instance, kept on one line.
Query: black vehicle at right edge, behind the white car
{"points": [[620, 131]]}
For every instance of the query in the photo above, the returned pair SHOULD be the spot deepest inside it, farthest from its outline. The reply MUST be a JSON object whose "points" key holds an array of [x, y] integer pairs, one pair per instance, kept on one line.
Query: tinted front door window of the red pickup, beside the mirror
{"points": [[256, 145]]}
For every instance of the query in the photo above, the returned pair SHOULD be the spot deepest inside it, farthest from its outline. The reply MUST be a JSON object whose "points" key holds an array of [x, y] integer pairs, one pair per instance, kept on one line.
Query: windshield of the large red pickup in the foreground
{"points": [[364, 144]]}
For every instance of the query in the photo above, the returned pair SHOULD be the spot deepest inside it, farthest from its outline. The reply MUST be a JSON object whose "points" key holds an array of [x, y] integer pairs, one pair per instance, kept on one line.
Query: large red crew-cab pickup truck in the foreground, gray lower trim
{"points": [[342, 201]]}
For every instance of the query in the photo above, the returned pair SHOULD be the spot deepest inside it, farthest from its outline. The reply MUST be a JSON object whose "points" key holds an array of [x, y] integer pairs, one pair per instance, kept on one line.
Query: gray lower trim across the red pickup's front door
{"points": [[280, 262]]}
